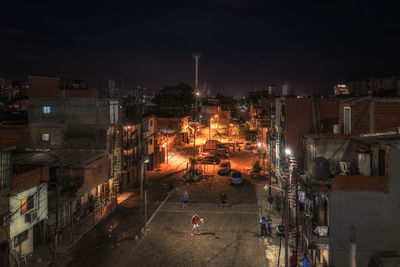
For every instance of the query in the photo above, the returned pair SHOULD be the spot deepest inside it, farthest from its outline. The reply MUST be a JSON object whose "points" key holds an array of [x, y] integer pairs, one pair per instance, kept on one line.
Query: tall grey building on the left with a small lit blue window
{"points": [[66, 113]]}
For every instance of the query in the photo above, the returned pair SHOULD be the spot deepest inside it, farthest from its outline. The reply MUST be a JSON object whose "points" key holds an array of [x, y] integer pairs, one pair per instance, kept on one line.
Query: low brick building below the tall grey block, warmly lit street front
{"points": [[87, 192]]}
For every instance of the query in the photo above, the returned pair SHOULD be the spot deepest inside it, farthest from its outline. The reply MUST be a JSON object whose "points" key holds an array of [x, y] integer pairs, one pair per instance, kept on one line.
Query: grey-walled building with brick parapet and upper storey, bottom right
{"points": [[363, 208]]}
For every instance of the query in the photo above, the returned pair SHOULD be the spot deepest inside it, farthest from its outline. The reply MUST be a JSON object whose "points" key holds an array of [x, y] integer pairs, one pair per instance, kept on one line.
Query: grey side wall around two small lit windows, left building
{"points": [[73, 122]]}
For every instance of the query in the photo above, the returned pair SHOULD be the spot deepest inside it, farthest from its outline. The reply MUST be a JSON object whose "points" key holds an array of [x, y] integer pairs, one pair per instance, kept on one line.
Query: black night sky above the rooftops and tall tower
{"points": [[245, 44]]}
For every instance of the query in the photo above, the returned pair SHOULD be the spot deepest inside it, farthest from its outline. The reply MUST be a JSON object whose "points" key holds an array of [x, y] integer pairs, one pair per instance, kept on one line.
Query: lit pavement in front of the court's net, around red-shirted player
{"points": [[225, 240]]}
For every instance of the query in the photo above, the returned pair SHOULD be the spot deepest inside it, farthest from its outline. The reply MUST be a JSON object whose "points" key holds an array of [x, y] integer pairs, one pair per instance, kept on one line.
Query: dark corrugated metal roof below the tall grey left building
{"points": [[71, 158]]}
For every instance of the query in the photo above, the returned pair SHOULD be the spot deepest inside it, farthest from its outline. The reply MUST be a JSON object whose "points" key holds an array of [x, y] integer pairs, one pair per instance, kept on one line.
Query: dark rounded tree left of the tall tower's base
{"points": [[180, 95]]}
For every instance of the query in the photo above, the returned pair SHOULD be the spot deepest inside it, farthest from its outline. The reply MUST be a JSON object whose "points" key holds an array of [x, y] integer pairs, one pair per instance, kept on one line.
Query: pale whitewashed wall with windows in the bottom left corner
{"points": [[18, 224]]}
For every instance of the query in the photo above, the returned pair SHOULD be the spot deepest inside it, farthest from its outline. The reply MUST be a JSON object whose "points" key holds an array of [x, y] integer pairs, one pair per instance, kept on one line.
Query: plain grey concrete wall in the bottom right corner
{"points": [[375, 216]]}
